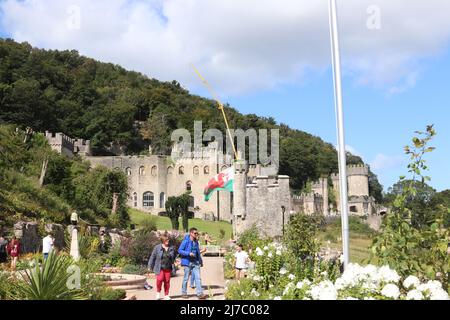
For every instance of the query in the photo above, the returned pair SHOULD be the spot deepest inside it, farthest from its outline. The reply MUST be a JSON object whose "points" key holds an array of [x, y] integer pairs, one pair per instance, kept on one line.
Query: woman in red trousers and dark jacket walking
{"points": [[161, 263]]}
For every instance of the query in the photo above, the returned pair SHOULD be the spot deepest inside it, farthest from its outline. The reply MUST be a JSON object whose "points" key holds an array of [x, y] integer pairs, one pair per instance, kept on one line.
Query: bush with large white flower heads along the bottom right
{"points": [[273, 280]]}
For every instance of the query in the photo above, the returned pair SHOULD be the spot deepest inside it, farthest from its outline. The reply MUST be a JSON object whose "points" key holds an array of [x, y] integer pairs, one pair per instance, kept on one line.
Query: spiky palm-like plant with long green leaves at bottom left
{"points": [[49, 281]]}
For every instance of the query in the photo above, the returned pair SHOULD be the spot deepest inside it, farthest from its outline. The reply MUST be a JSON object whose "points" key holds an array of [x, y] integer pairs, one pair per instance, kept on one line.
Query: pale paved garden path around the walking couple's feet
{"points": [[212, 280]]}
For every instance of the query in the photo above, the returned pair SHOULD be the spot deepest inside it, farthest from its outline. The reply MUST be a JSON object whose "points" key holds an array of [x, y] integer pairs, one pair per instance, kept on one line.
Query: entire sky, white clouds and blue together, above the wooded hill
{"points": [[274, 60]]}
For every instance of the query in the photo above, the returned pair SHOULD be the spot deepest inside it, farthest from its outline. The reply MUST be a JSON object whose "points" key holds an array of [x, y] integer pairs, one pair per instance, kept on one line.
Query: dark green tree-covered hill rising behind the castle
{"points": [[62, 91]]}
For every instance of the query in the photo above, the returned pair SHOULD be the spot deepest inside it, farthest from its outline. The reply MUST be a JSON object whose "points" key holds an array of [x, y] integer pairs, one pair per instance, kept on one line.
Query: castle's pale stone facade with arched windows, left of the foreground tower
{"points": [[164, 178]]}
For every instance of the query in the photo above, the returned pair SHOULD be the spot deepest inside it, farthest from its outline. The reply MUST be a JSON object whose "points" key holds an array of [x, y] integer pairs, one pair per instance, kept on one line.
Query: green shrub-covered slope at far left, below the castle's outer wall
{"points": [[68, 184]]}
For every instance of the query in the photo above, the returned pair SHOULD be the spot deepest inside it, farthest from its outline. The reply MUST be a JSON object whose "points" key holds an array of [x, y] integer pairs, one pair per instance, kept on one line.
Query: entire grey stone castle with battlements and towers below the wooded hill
{"points": [[261, 197]]}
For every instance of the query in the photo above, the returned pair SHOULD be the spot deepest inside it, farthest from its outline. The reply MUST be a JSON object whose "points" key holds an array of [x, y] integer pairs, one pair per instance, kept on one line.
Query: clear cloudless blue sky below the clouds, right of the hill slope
{"points": [[376, 123]]}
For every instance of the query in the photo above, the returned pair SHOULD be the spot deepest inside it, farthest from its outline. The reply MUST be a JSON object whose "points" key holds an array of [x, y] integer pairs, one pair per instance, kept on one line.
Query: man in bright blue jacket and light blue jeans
{"points": [[191, 260]]}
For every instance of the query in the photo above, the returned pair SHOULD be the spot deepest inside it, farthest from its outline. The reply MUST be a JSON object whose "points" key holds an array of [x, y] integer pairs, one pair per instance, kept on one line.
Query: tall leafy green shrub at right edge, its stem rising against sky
{"points": [[409, 247]]}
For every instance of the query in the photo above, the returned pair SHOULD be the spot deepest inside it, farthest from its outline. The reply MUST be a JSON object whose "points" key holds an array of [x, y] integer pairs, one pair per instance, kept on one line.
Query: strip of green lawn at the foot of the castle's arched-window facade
{"points": [[163, 223]]}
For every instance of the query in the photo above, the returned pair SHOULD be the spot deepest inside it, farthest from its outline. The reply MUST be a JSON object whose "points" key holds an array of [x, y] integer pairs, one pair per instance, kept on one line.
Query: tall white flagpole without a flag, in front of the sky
{"points": [[334, 35]]}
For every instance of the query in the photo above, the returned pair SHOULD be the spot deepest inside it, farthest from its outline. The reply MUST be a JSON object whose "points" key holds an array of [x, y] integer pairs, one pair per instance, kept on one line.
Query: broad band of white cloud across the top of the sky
{"points": [[240, 45]]}
